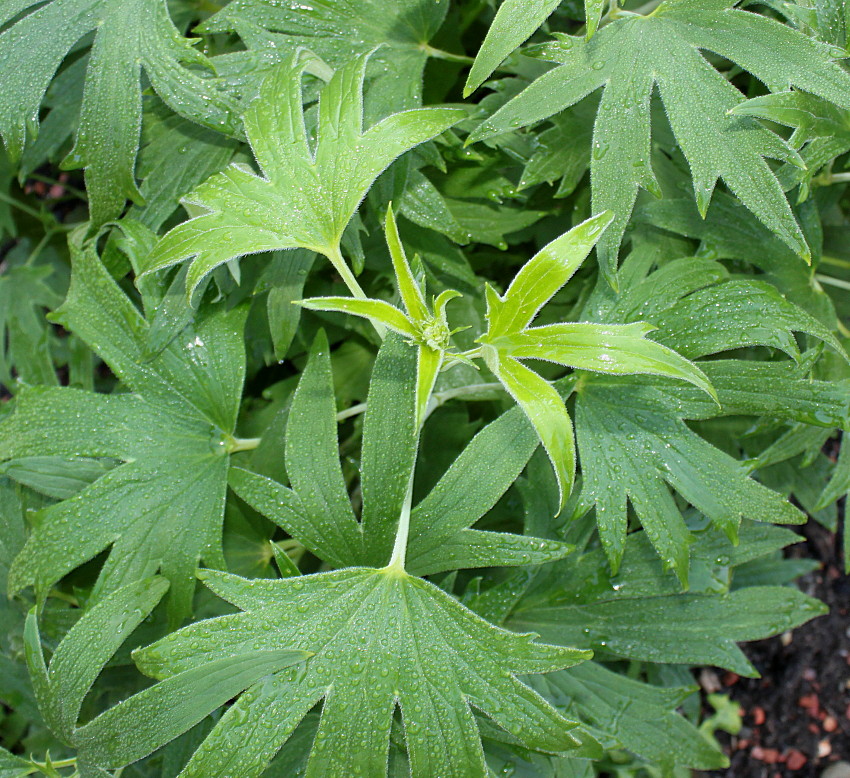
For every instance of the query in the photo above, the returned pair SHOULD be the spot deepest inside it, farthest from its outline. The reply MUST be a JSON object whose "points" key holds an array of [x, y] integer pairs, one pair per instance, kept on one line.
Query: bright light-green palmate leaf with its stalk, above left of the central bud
{"points": [[305, 197]]}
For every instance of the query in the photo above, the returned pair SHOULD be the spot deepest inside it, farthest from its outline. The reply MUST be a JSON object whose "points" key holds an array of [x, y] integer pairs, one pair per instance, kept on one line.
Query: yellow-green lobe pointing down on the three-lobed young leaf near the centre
{"points": [[546, 411]]}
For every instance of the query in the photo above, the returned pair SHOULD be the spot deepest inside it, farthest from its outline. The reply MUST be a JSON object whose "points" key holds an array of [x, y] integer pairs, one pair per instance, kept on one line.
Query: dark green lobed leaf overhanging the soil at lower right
{"points": [[639, 614]]}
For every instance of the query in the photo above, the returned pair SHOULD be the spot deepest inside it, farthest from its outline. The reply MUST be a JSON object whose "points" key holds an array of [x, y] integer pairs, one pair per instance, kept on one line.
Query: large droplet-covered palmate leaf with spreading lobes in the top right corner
{"points": [[631, 56]]}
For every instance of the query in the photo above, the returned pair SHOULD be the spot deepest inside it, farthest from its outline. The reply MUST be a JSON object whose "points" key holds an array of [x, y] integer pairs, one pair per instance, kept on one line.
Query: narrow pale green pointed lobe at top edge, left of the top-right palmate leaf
{"points": [[515, 22]]}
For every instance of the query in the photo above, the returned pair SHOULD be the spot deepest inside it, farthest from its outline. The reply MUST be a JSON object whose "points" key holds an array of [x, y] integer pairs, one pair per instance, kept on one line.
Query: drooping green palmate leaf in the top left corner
{"points": [[130, 35]]}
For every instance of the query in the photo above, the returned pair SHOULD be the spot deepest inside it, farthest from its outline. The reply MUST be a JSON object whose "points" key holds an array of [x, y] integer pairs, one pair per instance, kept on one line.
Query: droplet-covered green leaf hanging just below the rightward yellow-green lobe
{"points": [[633, 442]]}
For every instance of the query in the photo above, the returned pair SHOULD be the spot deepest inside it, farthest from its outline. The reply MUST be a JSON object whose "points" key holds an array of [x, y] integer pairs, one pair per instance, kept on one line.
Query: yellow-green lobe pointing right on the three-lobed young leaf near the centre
{"points": [[603, 348]]}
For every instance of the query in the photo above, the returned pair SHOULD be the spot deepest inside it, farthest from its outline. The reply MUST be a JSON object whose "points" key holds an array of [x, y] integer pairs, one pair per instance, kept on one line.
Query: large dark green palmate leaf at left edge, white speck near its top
{"points": [[172, 432]]}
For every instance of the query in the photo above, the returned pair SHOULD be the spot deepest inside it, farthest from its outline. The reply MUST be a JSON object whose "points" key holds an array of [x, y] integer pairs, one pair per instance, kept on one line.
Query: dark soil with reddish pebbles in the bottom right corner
{"points": [[796, 717]]}
